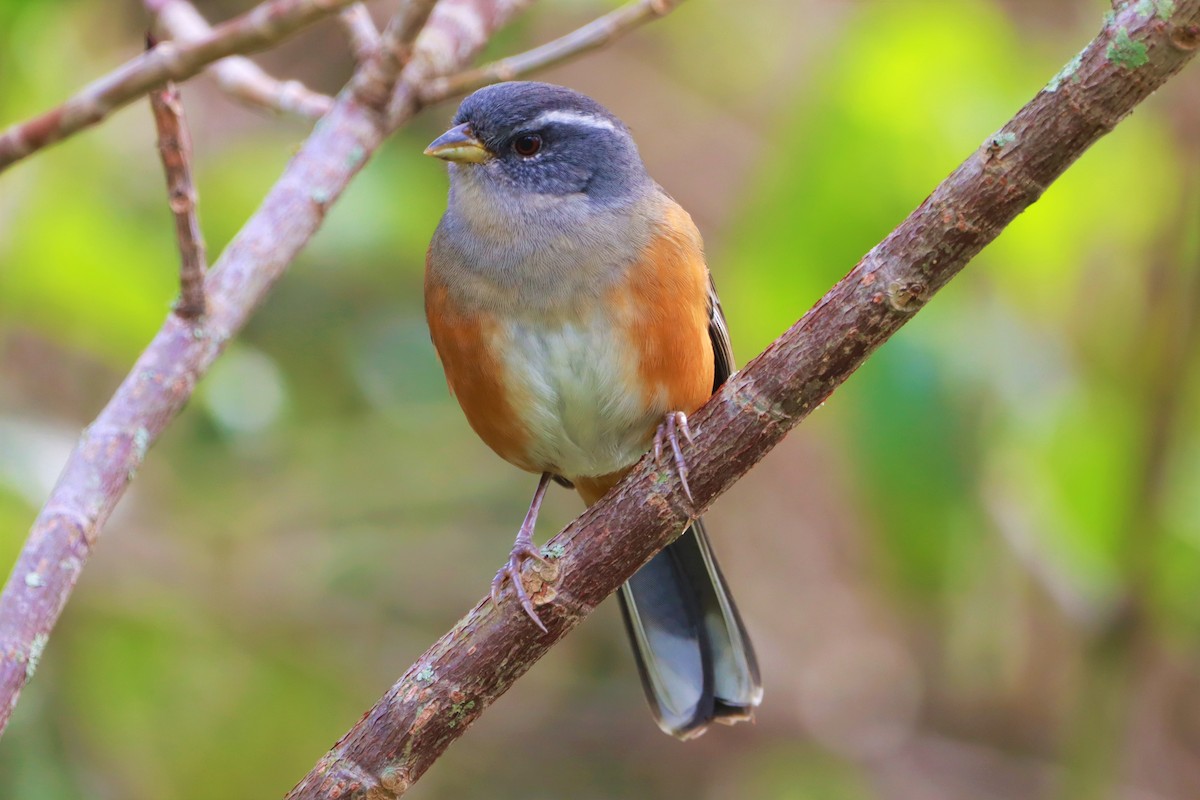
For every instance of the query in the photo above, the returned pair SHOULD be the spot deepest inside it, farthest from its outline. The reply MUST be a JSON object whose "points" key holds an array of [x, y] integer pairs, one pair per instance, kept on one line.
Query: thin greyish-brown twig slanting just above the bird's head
{"points": [[596, 34]]}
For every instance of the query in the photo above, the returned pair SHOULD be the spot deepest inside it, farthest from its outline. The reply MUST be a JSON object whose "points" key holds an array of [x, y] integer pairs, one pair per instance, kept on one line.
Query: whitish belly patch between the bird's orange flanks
{"points": [[575, 389]]}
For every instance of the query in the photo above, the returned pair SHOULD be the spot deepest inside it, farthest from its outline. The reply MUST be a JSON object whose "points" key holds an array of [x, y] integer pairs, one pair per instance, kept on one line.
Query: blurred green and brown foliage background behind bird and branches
{"points": [[973, 574]]}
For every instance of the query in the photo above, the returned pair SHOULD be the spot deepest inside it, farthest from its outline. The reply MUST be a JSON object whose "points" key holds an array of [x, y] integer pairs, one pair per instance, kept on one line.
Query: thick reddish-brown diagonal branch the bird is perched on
{"points": [[452, 684]]}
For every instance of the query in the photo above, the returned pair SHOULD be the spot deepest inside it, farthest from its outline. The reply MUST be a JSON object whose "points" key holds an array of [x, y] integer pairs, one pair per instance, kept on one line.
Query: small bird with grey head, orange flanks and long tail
{"points": [[571, 305]]}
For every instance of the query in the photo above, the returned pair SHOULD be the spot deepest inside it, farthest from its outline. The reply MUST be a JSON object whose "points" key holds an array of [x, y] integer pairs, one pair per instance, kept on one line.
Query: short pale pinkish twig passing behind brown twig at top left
{"points": [[237, 75]]}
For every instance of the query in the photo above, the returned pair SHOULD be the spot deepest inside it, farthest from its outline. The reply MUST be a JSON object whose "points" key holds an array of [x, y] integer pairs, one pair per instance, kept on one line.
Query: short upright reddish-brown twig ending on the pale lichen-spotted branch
{"points": [[176, 149]]}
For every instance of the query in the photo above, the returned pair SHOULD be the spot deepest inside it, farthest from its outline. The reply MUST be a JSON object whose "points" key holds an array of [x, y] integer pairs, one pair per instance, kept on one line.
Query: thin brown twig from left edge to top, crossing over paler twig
{"points": [[259, 28]]}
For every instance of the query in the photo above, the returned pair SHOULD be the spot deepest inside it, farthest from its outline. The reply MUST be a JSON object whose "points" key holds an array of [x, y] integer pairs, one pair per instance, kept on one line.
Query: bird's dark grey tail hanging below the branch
{"points": [[693, 652]]}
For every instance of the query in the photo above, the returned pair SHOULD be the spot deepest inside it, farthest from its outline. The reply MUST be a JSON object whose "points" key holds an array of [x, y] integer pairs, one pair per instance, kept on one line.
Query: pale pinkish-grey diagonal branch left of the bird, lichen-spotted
{"points": [[163, 380]]}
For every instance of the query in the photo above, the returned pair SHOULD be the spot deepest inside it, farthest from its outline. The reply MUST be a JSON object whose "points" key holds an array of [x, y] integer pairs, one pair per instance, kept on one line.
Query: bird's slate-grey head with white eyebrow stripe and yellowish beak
{"points": [[533, 139]]}
